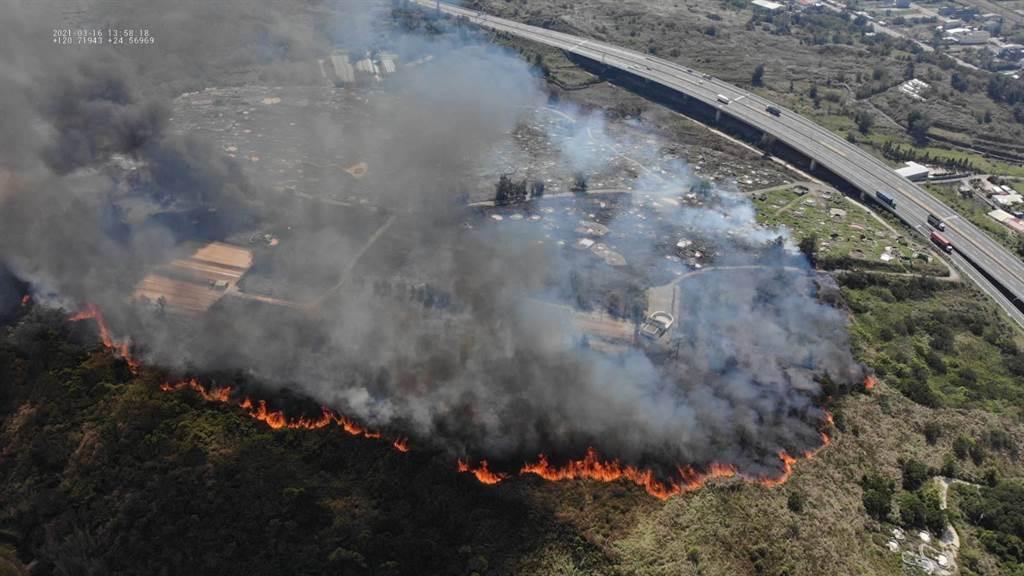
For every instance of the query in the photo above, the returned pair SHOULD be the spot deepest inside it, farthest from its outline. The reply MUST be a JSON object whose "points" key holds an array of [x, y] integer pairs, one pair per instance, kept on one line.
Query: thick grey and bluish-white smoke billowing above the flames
{"points": [[448, 327]]}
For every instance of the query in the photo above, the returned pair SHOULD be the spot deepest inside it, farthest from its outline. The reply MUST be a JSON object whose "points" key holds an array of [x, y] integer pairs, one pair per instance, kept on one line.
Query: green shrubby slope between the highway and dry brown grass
{"points": [[936, 343]]}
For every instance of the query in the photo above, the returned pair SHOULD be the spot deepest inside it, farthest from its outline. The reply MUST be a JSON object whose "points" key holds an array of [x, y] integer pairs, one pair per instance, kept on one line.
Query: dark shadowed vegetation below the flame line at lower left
{"points": [[105, 474]]}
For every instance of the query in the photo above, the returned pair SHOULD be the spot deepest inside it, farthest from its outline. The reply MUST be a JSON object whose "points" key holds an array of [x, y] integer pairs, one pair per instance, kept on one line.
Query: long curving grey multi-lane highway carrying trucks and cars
{"points": [[849, 162]]}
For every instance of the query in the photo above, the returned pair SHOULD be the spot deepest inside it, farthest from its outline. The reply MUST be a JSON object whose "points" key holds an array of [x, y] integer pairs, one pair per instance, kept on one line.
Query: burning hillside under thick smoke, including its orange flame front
{"points": [[472, 347]]}
